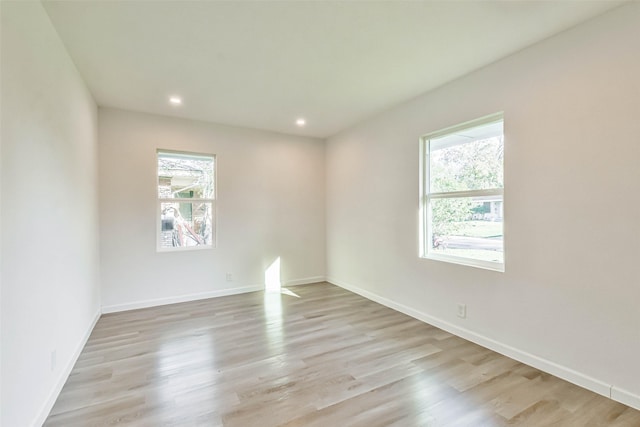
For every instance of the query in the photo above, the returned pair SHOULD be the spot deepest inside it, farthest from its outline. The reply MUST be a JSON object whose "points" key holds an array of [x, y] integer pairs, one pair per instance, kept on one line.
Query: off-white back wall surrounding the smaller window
{"points": [[270, 204]]}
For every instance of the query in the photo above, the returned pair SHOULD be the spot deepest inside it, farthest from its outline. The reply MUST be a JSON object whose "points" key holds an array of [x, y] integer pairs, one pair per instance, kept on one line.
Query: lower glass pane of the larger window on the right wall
{"points": [[468, 228]]}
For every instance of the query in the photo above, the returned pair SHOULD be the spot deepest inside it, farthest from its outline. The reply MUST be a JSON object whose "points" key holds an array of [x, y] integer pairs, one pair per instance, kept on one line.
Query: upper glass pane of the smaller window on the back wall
{"points": [[185, 176]]}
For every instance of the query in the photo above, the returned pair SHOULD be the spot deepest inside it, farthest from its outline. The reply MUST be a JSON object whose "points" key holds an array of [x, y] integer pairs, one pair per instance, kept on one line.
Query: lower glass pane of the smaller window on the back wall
{"points": [[186, 224]]}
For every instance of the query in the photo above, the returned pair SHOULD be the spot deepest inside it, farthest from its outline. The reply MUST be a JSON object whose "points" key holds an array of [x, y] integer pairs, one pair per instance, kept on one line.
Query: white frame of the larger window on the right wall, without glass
{"points": [[426, 196]]}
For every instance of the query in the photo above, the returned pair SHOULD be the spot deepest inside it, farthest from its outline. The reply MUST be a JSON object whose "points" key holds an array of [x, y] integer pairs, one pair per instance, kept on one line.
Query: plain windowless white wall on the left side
{"points": [[50, 291]]}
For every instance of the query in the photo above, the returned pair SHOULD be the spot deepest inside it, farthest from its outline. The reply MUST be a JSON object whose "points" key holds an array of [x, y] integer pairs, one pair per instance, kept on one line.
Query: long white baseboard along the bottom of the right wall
{"points": [[537, 362]]}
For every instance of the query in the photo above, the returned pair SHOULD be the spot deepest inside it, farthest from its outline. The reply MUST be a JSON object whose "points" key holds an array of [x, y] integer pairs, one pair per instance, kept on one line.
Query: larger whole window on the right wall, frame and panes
{"points": [[463, 193]]}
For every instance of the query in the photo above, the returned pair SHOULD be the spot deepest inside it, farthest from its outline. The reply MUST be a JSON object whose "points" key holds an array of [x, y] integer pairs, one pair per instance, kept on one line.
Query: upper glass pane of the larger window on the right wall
{"points": [[471, 159]]}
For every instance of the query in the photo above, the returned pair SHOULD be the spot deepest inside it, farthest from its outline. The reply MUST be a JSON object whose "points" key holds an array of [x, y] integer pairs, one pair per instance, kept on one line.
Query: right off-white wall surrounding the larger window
{"points": [[568, 301]]}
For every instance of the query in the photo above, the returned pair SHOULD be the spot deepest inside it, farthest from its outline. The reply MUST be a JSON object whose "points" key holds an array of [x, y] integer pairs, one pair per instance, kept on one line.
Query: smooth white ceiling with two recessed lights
{"points": [[262, 64]]}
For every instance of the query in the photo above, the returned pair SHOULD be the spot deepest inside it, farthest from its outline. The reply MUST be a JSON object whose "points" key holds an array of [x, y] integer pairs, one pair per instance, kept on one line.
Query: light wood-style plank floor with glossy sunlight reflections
{"points": [[320, 356]]}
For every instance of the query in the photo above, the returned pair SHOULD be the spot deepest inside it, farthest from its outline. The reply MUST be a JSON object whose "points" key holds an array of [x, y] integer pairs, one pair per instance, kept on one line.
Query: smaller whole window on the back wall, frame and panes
{"points": [[186, 200]]}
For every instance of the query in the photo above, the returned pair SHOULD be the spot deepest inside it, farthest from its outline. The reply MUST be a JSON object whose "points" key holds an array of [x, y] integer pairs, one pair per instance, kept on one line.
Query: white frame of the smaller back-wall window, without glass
{"points": [[160, 201]]}
